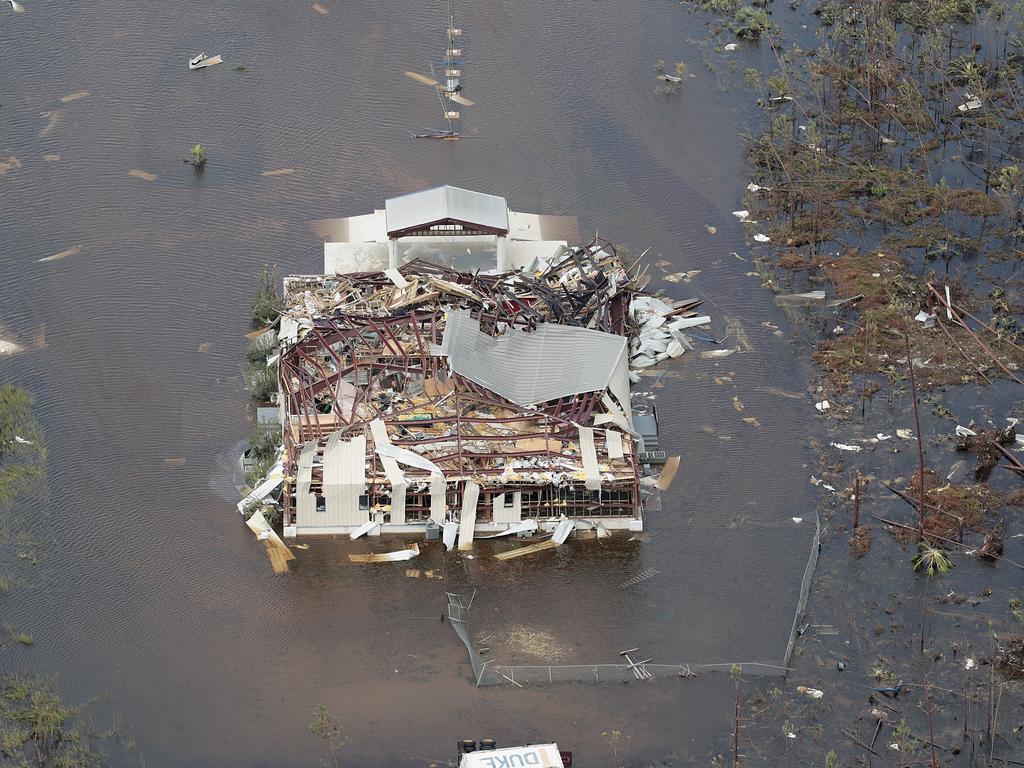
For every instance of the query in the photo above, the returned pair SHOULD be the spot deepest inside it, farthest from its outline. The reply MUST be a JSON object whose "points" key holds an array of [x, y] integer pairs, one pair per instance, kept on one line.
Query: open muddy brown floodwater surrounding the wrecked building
{"points": [[150, 592]]}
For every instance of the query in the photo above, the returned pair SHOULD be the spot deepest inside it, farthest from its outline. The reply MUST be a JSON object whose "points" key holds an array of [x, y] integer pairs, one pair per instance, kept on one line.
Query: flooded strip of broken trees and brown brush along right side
{"points": [[888, 172]]}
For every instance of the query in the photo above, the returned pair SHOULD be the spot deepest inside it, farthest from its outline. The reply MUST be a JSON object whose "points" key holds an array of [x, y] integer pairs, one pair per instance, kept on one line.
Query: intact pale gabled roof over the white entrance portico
{"points": [[418, 211]]}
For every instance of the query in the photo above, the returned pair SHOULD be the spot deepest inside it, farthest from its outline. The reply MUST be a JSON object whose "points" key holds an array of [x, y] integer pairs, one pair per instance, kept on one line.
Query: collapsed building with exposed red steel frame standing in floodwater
{"points": [[415, 394]]}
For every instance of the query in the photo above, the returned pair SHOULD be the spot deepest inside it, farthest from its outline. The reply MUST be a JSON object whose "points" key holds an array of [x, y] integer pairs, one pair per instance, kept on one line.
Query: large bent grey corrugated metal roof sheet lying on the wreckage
{"points": [[552, 362]]}
